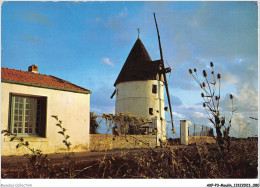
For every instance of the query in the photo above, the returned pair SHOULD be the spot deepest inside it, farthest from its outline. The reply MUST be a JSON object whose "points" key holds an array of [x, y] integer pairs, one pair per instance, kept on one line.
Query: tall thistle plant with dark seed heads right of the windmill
{"points": [[211, 96]]}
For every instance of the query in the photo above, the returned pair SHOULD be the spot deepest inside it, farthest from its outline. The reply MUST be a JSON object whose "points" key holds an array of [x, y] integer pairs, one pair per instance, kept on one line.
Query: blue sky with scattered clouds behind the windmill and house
{"points": [[87, 44]]}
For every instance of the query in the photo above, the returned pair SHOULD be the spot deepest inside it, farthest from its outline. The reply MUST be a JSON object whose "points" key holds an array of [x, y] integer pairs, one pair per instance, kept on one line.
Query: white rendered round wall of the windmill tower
{"points": [[136, 97]]}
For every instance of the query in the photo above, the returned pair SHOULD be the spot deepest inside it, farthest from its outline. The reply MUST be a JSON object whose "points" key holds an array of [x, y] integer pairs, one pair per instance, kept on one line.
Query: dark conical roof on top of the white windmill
{"points": [[138, 65]]}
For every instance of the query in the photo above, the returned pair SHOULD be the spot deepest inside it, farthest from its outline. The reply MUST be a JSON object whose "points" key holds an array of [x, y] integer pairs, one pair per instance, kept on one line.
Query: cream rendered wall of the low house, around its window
{"points": [[72, 108]]}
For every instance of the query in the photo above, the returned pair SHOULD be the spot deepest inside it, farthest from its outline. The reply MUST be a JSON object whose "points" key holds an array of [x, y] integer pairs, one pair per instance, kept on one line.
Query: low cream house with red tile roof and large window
{"points": [[29, 99]]}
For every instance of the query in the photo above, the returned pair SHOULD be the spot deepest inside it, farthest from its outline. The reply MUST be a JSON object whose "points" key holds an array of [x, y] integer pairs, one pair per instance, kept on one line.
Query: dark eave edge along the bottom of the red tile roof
{"points": [[46, 87]]}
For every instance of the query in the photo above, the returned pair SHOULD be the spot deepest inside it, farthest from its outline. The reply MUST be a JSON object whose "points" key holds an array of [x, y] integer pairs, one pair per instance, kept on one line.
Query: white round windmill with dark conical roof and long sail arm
{"points": [[140, 88]]}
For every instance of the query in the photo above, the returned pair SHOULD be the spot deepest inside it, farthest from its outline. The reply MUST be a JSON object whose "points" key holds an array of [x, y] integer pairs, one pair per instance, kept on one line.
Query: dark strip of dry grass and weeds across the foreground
{"points": [[193, 161]]}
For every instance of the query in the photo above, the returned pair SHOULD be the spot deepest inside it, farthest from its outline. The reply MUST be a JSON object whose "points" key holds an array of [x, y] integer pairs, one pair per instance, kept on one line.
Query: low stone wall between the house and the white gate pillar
{"points": [[100, 142]]}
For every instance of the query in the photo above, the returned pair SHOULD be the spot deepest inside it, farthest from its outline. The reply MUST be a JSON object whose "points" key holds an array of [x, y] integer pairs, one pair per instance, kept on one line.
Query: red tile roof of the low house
{"points": [[39, 80]]}
